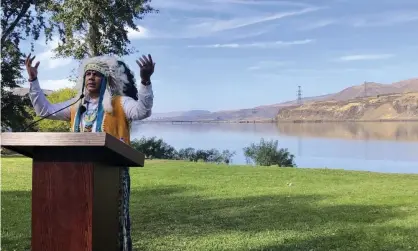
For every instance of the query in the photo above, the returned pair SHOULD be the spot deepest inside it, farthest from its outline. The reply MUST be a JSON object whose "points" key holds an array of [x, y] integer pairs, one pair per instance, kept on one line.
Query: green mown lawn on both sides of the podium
{"points": [[196, 206]]}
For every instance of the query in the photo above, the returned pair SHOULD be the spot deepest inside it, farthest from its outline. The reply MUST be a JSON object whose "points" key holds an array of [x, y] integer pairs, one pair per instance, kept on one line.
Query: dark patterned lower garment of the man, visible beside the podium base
{"points": [[125, 241]]}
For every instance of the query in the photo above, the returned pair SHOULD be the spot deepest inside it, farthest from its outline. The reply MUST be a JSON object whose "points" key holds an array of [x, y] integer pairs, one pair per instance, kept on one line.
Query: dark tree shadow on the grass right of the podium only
{"points": [[168, 211]]}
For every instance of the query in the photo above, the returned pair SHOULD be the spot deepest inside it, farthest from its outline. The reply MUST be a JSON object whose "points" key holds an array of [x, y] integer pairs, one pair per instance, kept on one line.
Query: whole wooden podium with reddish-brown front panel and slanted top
{"points": [[75, 187]]}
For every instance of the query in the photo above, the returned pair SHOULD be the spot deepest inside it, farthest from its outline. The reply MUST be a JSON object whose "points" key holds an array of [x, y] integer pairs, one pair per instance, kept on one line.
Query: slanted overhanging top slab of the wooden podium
{"points": [[102, 147]]}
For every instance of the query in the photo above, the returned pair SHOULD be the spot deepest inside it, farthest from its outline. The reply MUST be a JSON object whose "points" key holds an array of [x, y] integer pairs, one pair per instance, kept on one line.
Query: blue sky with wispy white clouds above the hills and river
{"points": [[230, 54]]}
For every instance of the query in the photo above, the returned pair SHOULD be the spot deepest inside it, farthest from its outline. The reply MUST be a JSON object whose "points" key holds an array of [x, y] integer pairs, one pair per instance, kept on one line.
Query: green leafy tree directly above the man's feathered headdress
{"points": [[93, 28]]}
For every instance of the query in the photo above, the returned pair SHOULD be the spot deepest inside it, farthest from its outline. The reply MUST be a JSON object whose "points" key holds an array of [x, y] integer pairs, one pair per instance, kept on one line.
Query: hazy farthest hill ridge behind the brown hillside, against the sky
{"points": [[265, 112]]}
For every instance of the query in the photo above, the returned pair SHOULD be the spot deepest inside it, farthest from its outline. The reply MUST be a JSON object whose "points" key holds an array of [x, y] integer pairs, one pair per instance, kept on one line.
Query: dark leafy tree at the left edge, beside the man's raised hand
{"points": [[18, 22]]}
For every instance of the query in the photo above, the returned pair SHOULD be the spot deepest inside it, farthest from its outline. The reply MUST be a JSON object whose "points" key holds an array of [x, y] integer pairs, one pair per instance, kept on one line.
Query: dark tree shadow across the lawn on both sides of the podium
{"points": [[174, 210]]}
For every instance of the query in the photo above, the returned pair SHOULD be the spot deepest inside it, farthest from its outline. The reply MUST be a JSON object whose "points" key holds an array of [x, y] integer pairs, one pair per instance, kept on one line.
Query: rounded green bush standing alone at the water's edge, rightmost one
{"points": [[267, 154]]}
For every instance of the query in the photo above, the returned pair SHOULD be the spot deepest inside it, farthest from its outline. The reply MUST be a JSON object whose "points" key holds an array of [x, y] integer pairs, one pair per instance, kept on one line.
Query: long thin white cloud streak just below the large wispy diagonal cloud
{"points": [[260, 45]]}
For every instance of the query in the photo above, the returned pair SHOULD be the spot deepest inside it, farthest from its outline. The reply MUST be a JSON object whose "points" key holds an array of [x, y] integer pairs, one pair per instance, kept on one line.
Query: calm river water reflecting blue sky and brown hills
{"points": [[378, 147]]}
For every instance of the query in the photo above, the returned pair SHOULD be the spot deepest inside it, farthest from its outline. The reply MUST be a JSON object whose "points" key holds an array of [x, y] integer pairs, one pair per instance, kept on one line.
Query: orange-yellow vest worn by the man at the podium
{"points": [[115, 124]]}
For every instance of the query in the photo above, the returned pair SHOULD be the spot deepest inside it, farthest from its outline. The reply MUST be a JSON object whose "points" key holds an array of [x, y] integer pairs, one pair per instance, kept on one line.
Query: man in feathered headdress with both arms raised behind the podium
{"points": [[108, 101]]}
